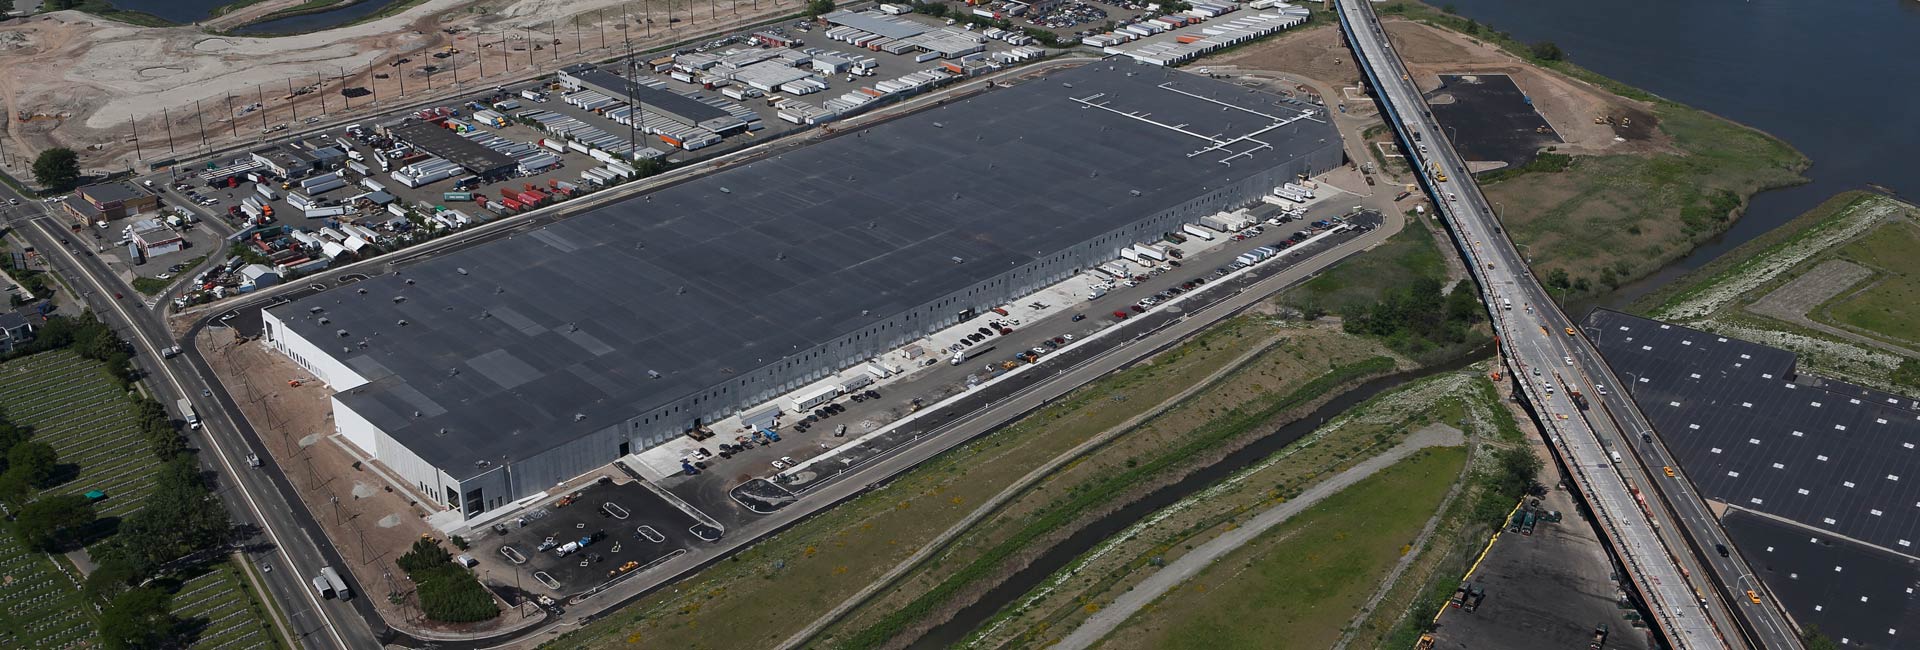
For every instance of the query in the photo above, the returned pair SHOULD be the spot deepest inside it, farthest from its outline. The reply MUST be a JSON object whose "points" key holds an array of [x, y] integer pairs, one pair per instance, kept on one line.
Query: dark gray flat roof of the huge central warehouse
{"points": [[867, 223]]}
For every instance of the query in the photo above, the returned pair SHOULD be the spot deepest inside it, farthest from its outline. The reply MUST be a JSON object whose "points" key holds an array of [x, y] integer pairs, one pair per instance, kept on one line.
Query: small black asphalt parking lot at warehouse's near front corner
{"points": [[627, 526]]}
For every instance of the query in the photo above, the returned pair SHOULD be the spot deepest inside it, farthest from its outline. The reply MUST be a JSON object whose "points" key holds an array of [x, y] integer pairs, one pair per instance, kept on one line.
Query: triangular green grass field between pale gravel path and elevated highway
{"points": [[1299, 584]]}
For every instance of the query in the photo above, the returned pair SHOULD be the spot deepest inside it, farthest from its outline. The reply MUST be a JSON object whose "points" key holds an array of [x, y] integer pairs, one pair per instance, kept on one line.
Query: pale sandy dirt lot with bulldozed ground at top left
{"points": [[87, 83]]}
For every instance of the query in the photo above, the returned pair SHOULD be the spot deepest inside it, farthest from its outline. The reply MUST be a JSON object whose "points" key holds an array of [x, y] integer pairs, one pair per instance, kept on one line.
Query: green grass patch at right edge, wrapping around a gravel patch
{"points": [[1890, 302]]}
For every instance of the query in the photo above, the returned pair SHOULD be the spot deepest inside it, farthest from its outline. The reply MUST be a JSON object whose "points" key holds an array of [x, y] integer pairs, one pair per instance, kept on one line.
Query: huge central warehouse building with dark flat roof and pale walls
{"points": [[498, 371]]}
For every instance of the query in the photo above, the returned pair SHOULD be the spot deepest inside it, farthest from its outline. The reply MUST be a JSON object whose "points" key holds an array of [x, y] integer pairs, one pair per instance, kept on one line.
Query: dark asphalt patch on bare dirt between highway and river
{"points": [[1491, 120]]}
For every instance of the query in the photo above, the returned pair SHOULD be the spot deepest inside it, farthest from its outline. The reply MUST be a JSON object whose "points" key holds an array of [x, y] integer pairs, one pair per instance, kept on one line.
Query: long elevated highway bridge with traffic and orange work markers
{"points": [[1543, 350]]}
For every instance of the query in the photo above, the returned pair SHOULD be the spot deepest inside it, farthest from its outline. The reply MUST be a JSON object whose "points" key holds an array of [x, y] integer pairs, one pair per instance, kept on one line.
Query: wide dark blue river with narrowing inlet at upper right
{"points": [[1836, 80]]}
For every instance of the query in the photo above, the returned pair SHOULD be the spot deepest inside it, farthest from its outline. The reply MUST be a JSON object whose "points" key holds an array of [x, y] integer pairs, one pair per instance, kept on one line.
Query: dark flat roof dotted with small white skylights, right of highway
{"points": [[1752, 432]]}
